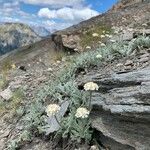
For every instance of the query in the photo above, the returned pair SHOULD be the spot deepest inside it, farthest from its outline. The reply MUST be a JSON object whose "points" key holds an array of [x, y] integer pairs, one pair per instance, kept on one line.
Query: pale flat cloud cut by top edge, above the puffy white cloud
{"points": [[57, 3]]}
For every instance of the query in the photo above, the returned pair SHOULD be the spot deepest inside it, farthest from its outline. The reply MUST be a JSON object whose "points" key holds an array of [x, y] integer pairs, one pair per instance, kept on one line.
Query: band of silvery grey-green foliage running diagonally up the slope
{"points": [[76, 131]]}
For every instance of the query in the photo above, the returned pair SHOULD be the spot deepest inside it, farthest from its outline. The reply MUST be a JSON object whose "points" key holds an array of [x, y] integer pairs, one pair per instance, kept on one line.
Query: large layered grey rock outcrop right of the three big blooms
{"points": [[121, 110]]}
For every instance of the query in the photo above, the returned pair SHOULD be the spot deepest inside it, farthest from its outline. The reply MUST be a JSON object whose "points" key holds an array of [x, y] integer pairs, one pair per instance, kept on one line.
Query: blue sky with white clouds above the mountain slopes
{"points": [[52, 14]]}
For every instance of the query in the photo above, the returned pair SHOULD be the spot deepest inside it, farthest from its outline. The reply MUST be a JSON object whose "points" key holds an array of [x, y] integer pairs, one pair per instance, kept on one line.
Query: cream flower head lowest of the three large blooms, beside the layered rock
{"points": [[82, 113]]}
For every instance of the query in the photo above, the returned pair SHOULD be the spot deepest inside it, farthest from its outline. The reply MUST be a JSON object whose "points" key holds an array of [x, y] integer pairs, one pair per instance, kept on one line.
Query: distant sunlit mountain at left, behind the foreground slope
{"points": [[15, 35]]}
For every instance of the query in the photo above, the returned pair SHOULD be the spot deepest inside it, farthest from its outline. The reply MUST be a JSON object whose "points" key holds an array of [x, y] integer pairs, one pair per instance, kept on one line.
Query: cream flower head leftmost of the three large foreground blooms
{"points": [[52, 109]]}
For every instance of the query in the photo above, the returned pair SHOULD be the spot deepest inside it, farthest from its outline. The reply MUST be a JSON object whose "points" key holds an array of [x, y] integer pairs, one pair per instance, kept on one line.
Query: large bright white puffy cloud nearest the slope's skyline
{"points": [[67, 13]]}
